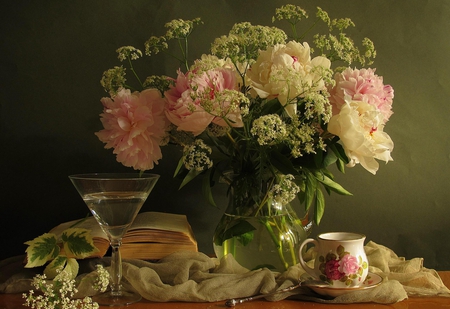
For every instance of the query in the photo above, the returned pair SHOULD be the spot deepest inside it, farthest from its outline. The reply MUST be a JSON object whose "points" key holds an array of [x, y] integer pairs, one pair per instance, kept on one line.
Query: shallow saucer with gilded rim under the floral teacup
{"points": [[324, 289]]}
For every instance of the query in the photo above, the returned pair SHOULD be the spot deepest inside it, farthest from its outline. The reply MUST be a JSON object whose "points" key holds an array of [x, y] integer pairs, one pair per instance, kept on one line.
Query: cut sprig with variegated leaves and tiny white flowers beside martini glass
{"points": [[56, 287]]}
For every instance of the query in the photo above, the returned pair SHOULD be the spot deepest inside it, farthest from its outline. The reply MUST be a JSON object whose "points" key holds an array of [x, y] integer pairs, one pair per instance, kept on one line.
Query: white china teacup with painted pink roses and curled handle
{"points": [[341, 260]]}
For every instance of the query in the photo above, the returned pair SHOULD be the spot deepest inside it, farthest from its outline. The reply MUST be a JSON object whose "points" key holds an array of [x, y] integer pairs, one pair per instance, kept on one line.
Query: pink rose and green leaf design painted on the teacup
{"points": [[341, 266]]}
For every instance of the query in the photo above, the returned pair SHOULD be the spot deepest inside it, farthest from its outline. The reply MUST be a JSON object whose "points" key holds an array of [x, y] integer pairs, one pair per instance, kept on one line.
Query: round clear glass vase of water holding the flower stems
{"points": [[269, 237]]}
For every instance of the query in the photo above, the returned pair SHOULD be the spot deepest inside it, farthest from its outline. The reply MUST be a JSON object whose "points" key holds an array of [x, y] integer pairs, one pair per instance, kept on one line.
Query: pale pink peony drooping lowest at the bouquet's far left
{"points": [[134, 125]]}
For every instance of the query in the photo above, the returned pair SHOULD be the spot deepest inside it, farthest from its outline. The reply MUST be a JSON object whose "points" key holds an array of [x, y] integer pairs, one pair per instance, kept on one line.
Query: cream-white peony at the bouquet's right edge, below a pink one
{"points": [[360, 129]]}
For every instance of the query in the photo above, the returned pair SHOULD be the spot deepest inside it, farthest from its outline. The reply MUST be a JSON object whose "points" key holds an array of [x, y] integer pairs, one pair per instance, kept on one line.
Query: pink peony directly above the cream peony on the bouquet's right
{"points": [[362, 85]]}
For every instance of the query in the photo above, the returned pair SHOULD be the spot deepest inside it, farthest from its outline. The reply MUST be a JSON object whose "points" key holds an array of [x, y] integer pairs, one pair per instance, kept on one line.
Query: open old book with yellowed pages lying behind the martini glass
{"points": [[152, 236]]}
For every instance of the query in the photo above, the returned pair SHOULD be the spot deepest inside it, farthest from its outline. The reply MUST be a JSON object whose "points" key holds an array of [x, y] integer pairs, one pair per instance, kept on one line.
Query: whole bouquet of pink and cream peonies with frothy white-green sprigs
{"points": [[266, 112]]}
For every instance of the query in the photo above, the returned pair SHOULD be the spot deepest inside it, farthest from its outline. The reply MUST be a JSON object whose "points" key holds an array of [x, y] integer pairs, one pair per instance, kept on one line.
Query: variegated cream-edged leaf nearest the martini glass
{"points": [[78, 243]]}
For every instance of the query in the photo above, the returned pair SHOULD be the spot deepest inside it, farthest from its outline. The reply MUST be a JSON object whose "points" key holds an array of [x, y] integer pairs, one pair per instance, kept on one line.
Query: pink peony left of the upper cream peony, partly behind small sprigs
{"points": [[185, 100]]}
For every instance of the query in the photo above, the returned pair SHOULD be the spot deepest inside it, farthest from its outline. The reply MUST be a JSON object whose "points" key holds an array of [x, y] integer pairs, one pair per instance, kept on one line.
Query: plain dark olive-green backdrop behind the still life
{"points": [[54, 52]]}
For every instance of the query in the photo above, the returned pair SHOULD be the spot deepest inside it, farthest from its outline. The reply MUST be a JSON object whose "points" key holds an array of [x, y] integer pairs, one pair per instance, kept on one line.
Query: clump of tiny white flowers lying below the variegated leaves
{"points": [[57, 294]]}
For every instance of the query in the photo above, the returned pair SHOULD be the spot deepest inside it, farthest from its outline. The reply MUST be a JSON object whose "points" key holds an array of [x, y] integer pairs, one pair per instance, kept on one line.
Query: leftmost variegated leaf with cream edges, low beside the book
{"points": [[41, 249]]}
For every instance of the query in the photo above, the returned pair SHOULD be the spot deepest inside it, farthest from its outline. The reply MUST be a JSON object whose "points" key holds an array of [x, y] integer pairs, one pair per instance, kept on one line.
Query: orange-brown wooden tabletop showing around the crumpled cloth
{"points": [[15, 301]]}
